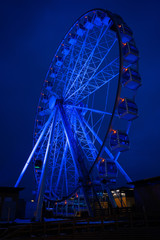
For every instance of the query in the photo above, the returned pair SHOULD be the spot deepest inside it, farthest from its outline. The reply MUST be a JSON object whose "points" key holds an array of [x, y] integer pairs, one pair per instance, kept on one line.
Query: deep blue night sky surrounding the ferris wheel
{"points": [[30, 34]]}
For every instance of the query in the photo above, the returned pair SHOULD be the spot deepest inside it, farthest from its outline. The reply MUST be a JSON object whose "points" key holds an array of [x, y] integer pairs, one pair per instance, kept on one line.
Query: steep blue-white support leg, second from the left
{"points": [[41, 186]]}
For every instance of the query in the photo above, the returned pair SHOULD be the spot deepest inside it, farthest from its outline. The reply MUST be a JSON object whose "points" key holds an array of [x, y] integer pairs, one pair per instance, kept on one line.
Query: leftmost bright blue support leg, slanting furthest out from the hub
{"points": [[34, 149]]}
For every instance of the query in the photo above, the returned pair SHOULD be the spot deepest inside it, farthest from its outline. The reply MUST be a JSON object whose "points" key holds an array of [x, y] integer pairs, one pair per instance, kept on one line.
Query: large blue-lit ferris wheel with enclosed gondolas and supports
{"points": [[86, 108]]}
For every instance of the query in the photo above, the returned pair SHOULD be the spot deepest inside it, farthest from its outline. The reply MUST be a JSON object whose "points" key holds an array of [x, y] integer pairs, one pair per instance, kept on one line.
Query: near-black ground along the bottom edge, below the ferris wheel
{"points": [[114, 227]]}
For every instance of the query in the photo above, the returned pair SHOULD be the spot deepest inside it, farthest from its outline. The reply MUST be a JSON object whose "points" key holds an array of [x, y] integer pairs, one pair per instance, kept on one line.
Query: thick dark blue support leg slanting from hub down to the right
{"points": [[76, 157]]}
